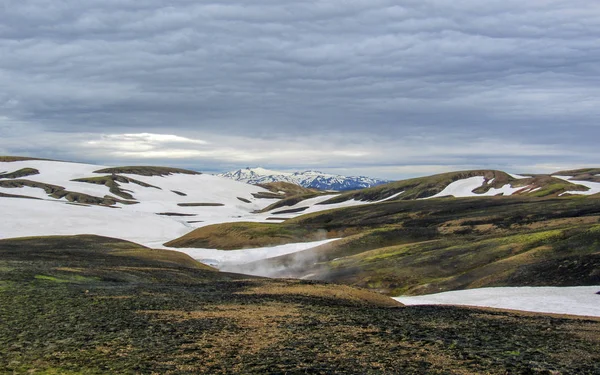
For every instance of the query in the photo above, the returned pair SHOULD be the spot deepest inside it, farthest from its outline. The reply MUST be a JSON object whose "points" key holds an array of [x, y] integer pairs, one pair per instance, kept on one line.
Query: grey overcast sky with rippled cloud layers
{"points": [[388, 89]]}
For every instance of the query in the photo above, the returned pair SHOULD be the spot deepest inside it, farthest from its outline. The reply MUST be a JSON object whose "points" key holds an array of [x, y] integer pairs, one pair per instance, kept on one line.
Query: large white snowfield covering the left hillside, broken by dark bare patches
{"points": [[137, 222]]}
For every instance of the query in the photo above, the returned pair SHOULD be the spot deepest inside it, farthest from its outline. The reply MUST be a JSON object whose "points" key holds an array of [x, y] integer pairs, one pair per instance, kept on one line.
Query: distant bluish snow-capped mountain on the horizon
{"points": [[308, 179]]}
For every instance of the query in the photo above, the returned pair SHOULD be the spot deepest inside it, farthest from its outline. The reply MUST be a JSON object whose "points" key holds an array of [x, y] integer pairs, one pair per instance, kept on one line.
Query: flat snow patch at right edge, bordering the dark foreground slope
{"points": [[581, 300]]}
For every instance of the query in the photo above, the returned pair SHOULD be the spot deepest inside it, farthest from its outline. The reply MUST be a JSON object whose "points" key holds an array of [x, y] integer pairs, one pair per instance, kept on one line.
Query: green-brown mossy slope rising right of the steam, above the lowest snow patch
{"points": [[419, 247]]}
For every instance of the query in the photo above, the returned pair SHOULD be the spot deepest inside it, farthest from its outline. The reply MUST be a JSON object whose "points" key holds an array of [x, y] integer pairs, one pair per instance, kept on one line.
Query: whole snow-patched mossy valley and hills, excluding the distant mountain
{"points": [[127, 269]]}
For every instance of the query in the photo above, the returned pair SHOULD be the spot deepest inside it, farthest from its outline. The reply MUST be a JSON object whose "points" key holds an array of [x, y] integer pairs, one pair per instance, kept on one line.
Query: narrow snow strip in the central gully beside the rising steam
{"points": [[224, 258]]}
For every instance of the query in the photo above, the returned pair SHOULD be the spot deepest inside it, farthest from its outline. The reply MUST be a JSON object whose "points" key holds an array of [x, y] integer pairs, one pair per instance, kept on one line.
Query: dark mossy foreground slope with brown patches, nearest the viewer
{"points": [[92, 305]]}
